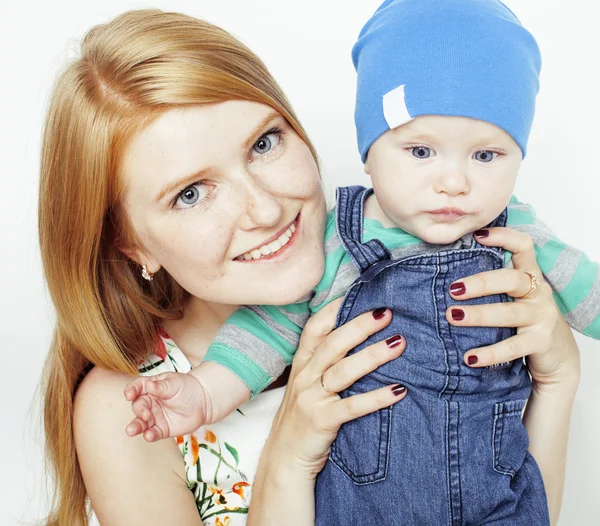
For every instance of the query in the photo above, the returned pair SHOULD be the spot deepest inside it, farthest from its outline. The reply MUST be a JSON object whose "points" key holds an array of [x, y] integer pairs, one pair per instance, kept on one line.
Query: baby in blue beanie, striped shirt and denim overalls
{"points": [[445, 102]]}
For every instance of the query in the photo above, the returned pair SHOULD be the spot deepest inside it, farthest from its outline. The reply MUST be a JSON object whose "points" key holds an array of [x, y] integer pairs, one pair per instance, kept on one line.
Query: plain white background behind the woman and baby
{"points": [[306, 44]]}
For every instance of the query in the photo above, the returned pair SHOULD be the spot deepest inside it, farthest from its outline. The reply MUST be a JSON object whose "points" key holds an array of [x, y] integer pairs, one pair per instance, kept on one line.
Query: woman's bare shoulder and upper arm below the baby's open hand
{"points": [[113, 464]]}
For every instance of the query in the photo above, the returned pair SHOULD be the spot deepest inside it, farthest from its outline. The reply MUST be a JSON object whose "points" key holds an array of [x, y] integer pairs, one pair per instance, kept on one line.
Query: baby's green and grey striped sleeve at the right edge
{"points": [[574, 278]]}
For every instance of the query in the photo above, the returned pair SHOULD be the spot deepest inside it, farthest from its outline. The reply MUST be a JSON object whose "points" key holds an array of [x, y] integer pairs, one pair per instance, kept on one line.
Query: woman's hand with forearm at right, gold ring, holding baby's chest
{"points": [[546, 341]]}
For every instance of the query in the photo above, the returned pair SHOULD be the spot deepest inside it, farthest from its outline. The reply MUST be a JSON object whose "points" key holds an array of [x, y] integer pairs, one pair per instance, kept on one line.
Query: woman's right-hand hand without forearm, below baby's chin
{"points": [[537, 318]]}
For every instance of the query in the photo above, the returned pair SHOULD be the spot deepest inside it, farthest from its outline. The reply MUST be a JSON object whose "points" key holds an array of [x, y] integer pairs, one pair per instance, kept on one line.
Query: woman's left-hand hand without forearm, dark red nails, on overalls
{"points": [[311, 412]]}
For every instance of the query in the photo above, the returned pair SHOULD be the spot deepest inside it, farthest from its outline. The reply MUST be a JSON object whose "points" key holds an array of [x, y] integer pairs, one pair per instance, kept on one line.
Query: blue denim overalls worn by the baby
{"points": [[454, 451]]}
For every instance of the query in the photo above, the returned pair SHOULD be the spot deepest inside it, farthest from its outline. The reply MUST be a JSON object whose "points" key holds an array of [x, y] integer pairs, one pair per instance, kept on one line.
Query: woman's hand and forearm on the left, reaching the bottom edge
{"points": [[311, 412]]}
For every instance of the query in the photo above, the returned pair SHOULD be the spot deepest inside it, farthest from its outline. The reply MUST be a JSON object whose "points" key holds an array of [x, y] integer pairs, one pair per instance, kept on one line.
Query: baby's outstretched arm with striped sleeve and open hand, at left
{"points": [[249, 352]]}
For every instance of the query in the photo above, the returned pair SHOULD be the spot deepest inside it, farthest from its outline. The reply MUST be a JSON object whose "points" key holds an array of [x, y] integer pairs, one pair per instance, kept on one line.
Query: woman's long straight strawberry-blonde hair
{"points": [[129, 71]]}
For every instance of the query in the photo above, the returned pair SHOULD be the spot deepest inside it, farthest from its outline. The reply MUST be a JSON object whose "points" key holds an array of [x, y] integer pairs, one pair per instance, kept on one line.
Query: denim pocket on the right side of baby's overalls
{"points": [[510, 438]]}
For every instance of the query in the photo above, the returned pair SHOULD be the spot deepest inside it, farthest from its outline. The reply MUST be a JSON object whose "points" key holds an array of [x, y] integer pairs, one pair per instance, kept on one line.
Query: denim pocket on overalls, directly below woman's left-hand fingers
{"points": [[362, 446]]}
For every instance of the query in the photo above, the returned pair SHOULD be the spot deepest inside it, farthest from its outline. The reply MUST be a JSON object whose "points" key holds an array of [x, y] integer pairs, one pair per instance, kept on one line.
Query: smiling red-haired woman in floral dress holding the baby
{"points": [[169, 152]]}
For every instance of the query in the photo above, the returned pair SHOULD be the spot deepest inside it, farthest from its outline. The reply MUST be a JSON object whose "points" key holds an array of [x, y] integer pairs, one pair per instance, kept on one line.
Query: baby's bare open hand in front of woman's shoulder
{"points": [[166, 405]]}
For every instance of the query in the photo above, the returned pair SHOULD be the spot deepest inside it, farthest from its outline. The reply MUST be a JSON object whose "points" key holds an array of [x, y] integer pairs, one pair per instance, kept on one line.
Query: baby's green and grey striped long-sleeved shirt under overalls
{"points": [[258, 342]]}
